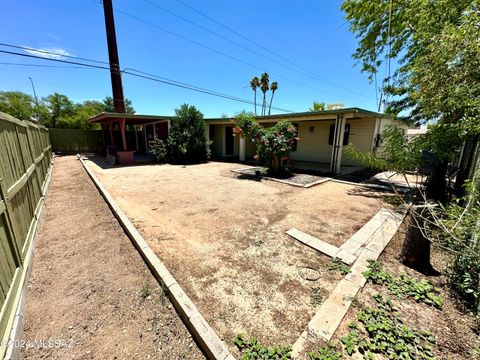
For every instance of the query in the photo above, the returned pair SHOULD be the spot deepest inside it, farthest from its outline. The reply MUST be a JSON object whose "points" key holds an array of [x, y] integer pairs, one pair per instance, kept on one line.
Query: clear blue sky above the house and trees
{"points": [[300, 36]]}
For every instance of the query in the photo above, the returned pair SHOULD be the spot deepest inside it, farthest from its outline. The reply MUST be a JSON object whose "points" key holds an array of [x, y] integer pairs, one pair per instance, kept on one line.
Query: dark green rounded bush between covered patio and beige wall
{"points": [[186, 141]]}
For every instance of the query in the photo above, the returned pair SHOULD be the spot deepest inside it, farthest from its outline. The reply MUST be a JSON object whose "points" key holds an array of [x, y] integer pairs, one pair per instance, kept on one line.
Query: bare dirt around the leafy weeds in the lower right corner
{"points": [[452, 326]]}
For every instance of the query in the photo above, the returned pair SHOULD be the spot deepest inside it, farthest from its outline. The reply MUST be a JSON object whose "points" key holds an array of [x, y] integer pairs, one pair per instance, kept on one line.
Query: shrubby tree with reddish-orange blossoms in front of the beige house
{"points": [[273, 143]]}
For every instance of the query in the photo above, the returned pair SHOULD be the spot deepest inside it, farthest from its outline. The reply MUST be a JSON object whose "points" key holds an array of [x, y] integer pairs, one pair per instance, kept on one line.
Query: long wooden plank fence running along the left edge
{"points": [[25, 165]]}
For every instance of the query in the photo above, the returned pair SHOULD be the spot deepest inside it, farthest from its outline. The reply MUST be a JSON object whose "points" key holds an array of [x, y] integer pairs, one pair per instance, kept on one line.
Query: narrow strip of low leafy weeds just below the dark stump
{"points": [[404, 285]]}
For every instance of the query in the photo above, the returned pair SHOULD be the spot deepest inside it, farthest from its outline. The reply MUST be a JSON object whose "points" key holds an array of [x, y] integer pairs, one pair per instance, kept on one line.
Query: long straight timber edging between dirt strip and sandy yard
{"points": [[202, 332]]}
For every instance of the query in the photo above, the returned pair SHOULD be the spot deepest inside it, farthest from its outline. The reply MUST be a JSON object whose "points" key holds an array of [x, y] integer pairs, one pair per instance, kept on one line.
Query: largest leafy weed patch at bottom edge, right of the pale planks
{"points": [[381, 331]]}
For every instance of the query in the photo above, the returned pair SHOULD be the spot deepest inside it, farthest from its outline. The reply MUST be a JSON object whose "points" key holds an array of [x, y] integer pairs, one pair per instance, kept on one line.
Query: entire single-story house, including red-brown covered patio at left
{"points": [[321, 139]]}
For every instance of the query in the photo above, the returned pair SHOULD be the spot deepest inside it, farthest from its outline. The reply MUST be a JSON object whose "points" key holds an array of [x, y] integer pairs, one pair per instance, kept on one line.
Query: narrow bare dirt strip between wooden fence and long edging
{"points": [[90, 288]]}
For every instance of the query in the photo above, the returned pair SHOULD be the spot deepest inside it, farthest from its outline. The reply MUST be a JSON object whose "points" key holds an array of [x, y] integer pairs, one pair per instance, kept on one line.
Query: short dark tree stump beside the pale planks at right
{"points": [[416, 247]]}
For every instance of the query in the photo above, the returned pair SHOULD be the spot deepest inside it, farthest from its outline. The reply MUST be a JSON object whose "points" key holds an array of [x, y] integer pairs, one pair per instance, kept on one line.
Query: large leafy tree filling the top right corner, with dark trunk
{"points": [[435, 44]]}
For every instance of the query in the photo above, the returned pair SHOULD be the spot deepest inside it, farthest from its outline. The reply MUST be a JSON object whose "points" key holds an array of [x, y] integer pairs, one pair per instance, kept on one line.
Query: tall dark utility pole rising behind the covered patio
{"points": [[115, 74]]}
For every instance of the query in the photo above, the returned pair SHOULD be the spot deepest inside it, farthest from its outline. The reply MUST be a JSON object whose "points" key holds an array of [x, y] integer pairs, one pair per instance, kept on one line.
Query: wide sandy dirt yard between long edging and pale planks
{"points": [[224, 240]]}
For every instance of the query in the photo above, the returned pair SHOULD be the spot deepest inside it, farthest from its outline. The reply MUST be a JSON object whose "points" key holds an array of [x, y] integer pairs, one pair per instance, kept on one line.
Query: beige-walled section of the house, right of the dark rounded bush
{"points": [[321, 140]]}
